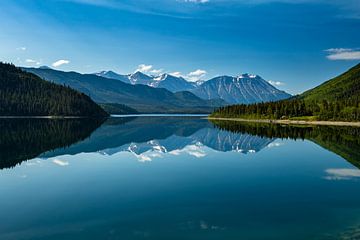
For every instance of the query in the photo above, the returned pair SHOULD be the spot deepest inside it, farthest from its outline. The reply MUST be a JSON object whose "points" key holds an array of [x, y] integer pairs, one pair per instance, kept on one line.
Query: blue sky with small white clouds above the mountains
{"points": [[296, 44]]}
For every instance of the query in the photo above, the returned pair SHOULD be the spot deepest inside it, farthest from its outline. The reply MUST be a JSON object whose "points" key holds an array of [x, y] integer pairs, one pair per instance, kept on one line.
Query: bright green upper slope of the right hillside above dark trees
{"points": [[343, 87]]}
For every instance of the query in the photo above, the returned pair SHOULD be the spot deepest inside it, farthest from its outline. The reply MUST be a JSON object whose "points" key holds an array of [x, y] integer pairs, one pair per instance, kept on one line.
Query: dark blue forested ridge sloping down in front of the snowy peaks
{"points": [[142, 98]]}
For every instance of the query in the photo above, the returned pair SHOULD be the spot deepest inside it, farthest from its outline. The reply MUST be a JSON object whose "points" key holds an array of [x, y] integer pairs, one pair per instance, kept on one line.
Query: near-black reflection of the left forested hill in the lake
{"points": [[23, 139]]}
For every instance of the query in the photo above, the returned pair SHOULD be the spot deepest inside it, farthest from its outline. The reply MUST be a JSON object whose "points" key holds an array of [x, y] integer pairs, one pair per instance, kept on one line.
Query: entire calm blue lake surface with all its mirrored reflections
{"points": [[177, 178]]}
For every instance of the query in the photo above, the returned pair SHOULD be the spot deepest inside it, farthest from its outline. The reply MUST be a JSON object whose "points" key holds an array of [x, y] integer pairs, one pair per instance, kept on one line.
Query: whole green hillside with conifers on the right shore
{"points": [[337, 99]]}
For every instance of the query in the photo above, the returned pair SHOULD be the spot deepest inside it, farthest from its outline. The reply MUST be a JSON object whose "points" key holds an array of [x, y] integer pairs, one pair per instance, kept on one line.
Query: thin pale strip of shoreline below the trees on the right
{"points": [[290, 122]]}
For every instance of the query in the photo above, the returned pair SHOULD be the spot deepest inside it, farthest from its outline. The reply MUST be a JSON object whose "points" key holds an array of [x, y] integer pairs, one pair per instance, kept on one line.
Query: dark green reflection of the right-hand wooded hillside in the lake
{"points": [[343, 141]]}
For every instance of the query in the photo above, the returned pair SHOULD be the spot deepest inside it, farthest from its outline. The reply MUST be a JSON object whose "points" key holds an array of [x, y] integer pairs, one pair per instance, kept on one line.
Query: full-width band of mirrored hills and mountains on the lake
{"points": [[149, 137]]}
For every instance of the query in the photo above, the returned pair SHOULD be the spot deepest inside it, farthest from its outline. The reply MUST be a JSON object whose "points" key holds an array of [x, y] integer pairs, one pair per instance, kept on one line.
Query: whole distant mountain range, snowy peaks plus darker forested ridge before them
{"points": [[165, 93]]}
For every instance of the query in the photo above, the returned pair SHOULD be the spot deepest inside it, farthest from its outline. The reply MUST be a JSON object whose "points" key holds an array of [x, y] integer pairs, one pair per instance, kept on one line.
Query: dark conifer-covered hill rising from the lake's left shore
{"points": [[25, 94]]}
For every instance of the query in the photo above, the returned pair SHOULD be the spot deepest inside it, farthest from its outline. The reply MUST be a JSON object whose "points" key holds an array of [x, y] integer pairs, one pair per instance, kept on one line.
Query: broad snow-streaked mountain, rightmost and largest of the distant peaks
{"points": [[245, 88]]}
